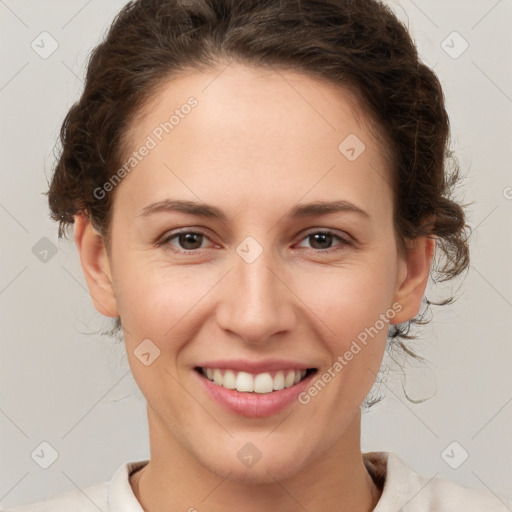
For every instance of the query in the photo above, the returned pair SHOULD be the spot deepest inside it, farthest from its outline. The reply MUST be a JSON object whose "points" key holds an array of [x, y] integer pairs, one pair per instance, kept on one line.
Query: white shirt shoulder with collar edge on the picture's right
{"points": [[403, 489]]}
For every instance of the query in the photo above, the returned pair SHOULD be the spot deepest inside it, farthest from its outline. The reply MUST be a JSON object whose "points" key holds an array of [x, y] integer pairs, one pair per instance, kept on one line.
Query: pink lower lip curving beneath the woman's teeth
{"points": [[254, 405]]}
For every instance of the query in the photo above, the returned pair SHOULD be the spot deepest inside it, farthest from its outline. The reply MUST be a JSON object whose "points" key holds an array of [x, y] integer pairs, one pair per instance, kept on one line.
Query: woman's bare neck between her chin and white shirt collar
{"points": [[174, 480]]}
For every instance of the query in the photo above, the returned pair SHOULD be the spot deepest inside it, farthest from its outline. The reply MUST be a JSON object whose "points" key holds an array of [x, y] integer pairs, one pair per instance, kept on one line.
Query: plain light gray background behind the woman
{"points": [[75, 391]]}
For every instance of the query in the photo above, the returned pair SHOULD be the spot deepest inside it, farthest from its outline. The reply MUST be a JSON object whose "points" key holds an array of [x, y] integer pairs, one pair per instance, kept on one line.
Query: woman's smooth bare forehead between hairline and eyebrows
{"points": [[253, 136]]}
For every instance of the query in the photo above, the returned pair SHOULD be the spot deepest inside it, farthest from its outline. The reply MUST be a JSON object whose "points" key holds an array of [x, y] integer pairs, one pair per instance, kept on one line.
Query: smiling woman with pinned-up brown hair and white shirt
{"points": [[258, 190]]}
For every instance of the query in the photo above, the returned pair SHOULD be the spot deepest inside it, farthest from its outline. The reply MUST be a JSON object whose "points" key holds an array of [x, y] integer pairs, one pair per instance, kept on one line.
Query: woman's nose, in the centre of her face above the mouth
{"points": [[257, 302]]}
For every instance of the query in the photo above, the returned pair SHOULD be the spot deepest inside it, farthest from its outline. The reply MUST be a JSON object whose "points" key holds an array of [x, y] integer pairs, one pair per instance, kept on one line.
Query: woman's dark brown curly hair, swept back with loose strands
{"points": [[358, 45]]}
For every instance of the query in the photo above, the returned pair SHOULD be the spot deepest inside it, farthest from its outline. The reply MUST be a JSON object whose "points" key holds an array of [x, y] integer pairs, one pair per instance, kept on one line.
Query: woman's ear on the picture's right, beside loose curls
{"points": [[413, 274]]}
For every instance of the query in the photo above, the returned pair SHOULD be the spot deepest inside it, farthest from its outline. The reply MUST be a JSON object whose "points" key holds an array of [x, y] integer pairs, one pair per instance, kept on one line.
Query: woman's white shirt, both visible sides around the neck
{"points": [[403, 490]]}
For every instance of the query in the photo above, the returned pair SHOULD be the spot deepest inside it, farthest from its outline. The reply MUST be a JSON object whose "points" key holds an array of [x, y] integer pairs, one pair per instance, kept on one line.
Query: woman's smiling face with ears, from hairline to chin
{"points": [[219, 266]]}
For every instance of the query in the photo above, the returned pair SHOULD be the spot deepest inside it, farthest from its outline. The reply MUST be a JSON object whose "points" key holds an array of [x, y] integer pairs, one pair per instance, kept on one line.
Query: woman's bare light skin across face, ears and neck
{"points": [[273, 137]]}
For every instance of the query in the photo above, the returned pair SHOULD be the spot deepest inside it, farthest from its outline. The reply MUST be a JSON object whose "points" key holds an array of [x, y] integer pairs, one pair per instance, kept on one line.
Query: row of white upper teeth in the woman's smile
{"points": [[259, 383]]}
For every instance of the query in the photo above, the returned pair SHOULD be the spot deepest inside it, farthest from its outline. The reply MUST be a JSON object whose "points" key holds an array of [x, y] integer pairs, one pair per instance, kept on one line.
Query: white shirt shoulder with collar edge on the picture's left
{"points": [[115, 495]]}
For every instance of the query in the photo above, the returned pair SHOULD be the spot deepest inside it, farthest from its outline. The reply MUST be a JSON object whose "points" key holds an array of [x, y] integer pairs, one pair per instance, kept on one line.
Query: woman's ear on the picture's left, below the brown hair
{"points": [[95, 265]]}
